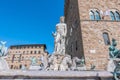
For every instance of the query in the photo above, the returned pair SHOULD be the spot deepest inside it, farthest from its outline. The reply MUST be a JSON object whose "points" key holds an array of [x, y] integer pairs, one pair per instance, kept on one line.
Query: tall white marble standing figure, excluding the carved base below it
{"points": [[60, 35]]}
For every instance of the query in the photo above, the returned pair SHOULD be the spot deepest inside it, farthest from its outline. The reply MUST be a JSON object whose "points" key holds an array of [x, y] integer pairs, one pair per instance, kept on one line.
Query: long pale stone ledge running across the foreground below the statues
{"points": [[50, 75]]}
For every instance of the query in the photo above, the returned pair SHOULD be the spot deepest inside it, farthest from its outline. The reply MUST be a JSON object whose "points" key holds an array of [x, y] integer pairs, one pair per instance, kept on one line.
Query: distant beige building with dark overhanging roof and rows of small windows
{"points": [[20, 55]]}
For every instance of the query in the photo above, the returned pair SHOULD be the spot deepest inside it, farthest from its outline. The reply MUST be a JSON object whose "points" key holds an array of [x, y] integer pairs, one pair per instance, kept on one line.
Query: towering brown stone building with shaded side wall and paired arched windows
{"points": [[91, 25]]}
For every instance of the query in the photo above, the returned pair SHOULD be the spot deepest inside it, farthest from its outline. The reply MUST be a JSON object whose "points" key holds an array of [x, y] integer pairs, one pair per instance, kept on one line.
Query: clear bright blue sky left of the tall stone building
{"points": [[29, 21]]}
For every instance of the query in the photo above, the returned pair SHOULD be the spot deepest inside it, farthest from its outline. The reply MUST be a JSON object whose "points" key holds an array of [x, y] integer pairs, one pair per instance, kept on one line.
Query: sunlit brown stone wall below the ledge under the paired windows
{"points": [[92, 33]]}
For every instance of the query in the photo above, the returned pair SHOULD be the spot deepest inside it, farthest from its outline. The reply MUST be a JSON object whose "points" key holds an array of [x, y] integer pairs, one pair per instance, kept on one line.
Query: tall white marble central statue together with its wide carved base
{"points": [[59, 61]]}
